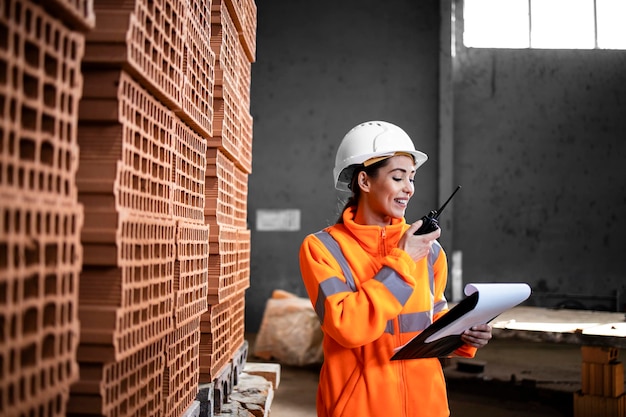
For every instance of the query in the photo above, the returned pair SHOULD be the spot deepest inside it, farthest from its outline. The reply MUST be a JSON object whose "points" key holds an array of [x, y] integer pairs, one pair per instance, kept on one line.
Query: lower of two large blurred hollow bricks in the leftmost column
{"points": [[40, 260]]}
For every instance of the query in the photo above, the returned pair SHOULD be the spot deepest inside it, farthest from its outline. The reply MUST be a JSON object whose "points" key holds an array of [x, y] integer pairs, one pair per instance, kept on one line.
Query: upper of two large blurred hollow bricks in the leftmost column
{"points": [[40, 99]]}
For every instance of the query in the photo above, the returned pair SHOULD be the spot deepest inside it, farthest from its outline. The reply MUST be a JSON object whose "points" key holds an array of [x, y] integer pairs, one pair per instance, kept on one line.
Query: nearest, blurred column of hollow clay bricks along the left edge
{"points": [[41, 49]]}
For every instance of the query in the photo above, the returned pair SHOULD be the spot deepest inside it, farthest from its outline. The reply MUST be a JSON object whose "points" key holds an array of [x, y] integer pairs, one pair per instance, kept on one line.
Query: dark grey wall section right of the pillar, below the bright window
{"points": [[540, 147]]}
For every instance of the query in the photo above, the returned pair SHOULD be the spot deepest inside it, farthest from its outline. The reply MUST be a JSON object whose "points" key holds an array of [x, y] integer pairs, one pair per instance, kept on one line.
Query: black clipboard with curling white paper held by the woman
{"points": [[483, 303]]}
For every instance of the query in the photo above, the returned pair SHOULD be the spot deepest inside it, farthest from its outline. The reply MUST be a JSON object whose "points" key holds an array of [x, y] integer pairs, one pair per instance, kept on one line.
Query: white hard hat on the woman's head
{"points": [[371, 140]]}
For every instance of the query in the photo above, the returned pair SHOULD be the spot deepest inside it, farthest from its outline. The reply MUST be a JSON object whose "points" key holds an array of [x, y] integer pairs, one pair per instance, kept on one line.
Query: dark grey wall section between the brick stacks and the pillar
{"points": [[323, 67]]}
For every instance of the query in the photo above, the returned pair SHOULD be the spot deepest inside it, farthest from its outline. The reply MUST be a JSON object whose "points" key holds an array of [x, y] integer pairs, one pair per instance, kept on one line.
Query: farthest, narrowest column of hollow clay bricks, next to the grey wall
{"points": [[229, 162]]}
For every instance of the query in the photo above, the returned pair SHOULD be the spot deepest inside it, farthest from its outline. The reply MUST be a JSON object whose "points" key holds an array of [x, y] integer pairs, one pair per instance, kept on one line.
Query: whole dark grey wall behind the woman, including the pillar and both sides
{"points": [[534, 136]]}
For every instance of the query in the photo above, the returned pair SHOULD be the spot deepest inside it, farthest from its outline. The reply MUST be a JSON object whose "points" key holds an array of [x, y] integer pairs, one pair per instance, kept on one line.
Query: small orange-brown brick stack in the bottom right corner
{"points": [[602, 390]]}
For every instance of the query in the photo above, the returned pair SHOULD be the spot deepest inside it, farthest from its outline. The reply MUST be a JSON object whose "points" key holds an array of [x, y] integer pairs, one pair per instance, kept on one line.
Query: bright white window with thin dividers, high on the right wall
{"points": [[547, 24]]}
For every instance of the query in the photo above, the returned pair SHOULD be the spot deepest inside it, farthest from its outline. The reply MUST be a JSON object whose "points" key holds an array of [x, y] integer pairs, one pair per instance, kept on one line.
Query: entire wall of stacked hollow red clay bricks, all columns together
{"points": [[125, 150]]}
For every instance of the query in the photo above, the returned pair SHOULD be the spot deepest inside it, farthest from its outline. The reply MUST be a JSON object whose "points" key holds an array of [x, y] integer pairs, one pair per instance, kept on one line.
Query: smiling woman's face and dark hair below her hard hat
{"points": [[386, 195]]}
